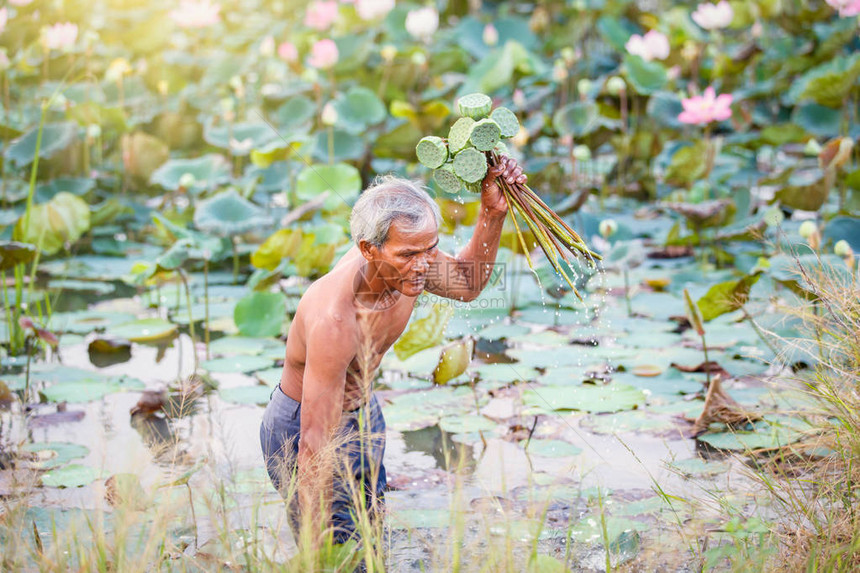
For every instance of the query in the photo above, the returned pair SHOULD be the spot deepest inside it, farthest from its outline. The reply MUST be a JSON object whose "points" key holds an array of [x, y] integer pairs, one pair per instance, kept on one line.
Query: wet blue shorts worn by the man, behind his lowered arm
{"points": [[361, 436]]}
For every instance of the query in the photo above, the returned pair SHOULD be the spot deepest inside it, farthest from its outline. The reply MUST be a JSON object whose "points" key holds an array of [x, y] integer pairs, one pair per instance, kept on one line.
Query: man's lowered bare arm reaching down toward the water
{"points": [[330, 348]]}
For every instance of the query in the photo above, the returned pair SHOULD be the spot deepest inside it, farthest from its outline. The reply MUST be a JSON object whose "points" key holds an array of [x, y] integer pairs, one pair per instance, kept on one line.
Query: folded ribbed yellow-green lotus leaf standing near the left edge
{"points": [[65, 218]]}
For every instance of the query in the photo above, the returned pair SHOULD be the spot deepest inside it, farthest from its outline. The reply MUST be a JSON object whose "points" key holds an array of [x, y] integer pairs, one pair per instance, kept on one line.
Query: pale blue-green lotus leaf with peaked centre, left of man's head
{"points": [[228, 213]]}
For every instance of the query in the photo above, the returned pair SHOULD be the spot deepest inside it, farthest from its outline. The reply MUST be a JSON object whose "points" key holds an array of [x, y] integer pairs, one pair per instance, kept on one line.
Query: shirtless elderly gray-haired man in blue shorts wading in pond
{"points": [[323, 434]]}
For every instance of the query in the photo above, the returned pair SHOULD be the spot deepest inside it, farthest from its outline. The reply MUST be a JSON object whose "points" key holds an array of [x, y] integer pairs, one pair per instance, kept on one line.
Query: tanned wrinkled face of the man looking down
{"points": [[405, 257]]}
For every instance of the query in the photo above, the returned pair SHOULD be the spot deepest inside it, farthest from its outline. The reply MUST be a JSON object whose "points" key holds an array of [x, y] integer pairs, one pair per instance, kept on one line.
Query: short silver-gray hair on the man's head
{"points": [[388, 199]]}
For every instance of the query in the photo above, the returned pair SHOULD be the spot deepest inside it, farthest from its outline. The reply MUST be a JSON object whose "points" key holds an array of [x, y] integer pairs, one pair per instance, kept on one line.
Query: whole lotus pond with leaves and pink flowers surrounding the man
{"points": [[175, 176]]}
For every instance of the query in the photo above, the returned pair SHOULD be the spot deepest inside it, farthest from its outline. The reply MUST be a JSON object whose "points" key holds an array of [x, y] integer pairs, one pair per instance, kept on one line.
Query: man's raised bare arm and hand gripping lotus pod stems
{"points": [[464, 276]]}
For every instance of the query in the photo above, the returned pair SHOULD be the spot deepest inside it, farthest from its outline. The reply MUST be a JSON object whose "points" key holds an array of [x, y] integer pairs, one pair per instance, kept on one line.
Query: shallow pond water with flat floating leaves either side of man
{"points": [[593, 393]]}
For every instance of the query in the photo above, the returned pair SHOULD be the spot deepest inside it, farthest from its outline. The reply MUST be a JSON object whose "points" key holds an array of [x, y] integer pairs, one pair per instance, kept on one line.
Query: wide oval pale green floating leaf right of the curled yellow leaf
{"points": [[596, 399]]}
